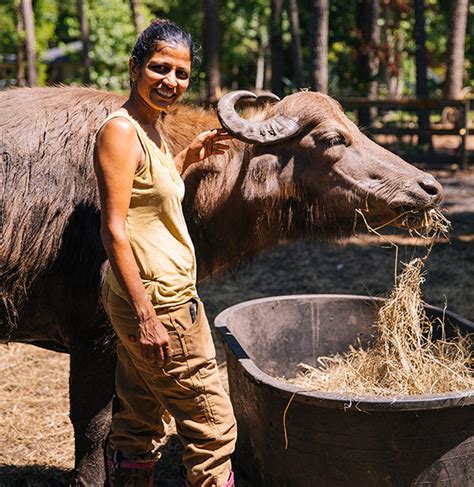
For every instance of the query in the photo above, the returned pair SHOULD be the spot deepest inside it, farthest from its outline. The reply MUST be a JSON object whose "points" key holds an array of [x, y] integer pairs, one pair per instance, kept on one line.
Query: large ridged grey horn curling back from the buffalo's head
{"points": [[275, 129]]}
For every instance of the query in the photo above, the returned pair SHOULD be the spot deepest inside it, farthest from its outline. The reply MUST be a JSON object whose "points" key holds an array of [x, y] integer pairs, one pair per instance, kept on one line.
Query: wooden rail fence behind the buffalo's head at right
{"points": [[460, 126]]}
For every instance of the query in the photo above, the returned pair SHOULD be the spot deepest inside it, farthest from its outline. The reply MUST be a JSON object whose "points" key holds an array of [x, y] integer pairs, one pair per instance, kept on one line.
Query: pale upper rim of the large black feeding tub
{"points": [[329, 399]]}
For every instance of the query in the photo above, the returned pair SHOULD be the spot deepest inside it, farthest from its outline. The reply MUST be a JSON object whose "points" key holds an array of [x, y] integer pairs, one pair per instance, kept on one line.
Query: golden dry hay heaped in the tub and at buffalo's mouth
{"points": [[403, 360]]}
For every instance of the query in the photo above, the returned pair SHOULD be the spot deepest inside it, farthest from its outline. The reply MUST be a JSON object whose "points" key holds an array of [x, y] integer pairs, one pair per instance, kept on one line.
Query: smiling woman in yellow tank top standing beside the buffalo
{"points": [[166, 358]]}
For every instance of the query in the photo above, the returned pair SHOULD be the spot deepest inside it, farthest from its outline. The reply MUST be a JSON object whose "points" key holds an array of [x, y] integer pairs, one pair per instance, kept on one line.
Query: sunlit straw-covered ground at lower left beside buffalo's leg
{"points": [[34, 408]]}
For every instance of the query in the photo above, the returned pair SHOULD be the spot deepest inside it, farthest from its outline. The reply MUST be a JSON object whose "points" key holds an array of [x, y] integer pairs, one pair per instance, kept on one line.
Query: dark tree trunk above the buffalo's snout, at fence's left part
{"points": [[368, 13]]}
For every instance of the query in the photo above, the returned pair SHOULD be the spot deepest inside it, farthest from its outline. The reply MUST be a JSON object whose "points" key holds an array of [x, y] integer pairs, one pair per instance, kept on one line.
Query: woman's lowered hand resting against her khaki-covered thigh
{"points": [[154, 340]]}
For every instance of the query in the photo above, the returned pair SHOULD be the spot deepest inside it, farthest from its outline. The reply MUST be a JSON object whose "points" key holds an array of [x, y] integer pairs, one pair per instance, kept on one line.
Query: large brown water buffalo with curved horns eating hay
{"points": [[298, 169]]}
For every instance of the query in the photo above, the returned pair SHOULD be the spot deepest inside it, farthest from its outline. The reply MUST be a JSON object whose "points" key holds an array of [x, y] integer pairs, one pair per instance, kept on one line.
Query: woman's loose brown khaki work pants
{"points": [[189, 388]]}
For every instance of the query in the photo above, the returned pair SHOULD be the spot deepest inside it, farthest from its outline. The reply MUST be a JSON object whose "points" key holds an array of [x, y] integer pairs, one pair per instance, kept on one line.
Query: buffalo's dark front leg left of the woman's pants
{"points": [[91, 392]]}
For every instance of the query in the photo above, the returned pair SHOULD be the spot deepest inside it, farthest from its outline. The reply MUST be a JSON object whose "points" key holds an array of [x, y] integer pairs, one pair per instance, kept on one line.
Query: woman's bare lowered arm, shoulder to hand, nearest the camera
{"points": [[116, 158]]}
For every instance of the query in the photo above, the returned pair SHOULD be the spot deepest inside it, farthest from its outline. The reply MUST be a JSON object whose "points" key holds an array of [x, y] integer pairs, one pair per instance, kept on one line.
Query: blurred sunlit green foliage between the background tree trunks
{"points": [[244, 36]]}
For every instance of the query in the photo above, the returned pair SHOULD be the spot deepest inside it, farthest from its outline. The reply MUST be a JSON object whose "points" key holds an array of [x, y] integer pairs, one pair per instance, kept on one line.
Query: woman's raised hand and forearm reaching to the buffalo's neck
{"points": [[204, 145]]}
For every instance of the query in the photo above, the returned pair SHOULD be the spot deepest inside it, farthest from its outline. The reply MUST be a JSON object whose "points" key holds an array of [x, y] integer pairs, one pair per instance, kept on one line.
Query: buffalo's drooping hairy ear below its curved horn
{"points": [[261, 178]]}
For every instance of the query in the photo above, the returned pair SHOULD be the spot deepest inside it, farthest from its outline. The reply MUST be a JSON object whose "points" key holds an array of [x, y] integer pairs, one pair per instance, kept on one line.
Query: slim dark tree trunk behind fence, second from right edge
{"points": [[421, 68]]}
